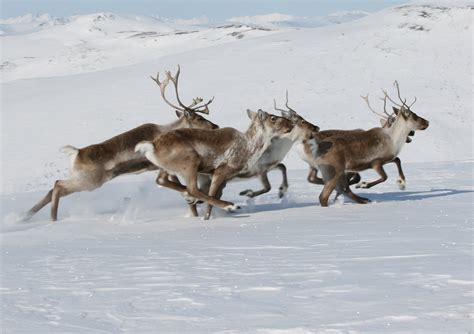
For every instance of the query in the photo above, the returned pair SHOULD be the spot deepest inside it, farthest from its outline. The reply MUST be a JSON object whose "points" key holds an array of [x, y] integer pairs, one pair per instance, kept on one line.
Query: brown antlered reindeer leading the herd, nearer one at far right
{"points": [[360, 150]]}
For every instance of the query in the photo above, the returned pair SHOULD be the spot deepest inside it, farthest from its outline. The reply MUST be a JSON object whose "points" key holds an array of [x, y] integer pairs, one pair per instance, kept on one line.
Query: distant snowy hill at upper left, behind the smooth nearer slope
{"points": [[44, 46]]}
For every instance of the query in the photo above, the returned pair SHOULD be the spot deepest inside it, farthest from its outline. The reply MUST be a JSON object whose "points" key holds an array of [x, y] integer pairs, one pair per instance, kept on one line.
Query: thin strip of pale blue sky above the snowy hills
{"points": [[212, 9]]}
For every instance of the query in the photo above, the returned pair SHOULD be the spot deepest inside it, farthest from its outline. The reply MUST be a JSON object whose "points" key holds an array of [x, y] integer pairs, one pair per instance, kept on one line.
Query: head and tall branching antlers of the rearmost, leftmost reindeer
{"points": [[187, 113]]}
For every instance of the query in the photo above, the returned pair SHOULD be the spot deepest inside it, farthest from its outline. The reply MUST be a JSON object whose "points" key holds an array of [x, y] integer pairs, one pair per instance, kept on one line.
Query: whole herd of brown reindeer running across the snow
{"points": [[195, 151]]}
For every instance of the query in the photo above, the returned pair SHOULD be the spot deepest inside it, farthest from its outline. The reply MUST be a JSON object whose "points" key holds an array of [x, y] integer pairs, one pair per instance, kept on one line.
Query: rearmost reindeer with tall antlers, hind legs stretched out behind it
{"points": [[94, 165]]}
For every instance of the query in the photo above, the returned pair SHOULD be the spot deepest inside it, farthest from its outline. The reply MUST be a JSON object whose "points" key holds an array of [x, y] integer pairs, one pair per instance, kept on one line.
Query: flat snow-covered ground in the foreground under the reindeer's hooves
{"points": [[125, 258]]}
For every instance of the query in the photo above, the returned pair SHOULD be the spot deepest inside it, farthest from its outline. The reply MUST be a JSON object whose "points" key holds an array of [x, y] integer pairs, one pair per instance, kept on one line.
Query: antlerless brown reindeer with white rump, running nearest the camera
{"points": [[223, 153]]}
